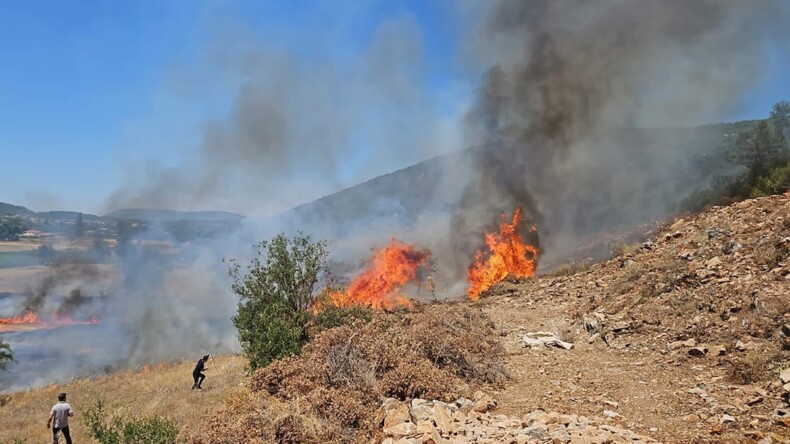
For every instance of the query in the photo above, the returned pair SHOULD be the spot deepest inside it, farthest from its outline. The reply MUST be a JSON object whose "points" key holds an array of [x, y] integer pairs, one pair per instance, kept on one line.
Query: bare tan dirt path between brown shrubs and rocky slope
{"points": [[647, 389]]}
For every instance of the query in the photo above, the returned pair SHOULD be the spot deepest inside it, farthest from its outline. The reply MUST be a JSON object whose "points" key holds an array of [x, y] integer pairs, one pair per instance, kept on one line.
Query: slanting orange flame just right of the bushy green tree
{"points": [[388, 270]]}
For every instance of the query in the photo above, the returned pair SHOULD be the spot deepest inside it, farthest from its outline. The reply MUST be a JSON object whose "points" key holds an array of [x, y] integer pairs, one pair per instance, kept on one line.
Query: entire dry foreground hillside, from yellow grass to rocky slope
{"points": [[683, 338]]}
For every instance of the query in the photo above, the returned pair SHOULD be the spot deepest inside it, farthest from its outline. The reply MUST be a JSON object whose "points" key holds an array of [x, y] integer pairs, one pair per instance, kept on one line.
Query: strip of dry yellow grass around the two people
{"points": [[162, 390]]}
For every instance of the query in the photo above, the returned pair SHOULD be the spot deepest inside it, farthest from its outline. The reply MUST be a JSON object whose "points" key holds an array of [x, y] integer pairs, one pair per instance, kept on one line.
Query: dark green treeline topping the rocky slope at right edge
{"points": [[763, 153]]}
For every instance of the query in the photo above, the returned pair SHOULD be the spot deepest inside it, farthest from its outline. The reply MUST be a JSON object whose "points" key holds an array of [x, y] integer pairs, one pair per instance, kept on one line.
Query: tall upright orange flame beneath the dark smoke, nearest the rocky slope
{"points": [[508, 255]]}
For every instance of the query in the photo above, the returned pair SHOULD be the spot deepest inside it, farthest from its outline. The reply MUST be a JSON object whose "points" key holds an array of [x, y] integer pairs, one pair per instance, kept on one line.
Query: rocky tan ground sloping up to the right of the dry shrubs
{"points": [[683, 338]]}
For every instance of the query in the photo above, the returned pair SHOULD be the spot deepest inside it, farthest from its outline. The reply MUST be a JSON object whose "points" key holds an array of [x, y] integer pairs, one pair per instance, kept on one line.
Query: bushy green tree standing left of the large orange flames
{"points": [[276, 291]]}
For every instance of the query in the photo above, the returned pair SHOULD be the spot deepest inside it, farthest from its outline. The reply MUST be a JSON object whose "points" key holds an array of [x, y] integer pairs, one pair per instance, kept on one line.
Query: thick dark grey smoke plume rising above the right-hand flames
{"points": [[554, 125]]}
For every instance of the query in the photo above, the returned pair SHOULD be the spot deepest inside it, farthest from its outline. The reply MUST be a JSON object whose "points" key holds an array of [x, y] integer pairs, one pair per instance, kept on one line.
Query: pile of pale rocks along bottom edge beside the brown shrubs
{"points": [[465, 420]]}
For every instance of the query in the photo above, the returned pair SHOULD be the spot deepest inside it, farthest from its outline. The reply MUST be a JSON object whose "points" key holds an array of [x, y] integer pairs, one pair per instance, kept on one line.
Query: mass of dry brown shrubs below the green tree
{"points": [[344, 373]]}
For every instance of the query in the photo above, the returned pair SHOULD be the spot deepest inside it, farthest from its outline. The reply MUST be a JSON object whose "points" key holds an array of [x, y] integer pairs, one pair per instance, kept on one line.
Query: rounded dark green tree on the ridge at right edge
{"points": [[760, 149]]}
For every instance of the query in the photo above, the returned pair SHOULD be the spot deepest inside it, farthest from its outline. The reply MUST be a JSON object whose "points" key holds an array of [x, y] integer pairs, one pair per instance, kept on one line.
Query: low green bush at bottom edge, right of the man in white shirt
{"points": [[118, 430]]}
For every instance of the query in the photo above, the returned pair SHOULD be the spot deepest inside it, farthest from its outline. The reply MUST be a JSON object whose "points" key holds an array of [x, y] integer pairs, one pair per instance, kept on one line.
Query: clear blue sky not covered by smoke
{"points": [[92, 90]]}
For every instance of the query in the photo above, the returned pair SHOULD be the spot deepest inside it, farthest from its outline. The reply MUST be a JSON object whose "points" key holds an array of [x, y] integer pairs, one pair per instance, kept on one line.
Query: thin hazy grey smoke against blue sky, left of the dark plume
{"points": [[299, 127]]}
